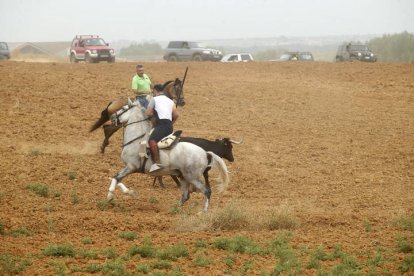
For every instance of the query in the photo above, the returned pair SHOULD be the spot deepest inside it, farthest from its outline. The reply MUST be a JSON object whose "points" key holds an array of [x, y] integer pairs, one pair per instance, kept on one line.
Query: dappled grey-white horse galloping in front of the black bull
{"points": [[185, 160]]}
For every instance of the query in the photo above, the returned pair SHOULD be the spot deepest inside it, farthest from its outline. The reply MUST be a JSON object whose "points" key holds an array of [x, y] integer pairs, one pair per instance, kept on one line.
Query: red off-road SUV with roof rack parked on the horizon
{"points": [[90, 48]]}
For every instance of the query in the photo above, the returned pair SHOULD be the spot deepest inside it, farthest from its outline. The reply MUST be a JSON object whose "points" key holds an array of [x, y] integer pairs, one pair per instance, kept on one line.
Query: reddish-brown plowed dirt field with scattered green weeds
{"points": [[322, 183]]}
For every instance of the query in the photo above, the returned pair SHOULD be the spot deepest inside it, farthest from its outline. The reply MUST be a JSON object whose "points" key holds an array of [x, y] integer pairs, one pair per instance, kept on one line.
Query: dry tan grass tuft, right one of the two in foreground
{"points": [[281, 217]]}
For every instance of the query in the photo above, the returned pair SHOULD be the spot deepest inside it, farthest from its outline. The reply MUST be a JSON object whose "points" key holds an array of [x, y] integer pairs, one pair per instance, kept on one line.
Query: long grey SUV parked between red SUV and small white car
{"points": [[188, 50]]}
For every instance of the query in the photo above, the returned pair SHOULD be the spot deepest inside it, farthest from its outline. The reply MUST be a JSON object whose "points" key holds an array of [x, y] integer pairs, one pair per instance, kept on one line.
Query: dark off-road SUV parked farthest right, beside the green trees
{"points": [[350, 52]]}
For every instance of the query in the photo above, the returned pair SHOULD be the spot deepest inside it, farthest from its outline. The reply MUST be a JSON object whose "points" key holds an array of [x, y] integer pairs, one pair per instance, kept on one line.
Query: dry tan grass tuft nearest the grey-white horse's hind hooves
{"points": [[230, 217]]}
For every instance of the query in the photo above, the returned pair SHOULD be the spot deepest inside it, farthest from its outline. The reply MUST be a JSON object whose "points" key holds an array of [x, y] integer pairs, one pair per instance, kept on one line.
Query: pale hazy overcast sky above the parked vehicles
{"points": [[162, 20]]}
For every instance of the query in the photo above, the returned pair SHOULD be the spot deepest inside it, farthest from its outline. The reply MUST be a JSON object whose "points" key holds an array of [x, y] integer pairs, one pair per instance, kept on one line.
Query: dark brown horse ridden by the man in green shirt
{"points": [[172, 88]]}
